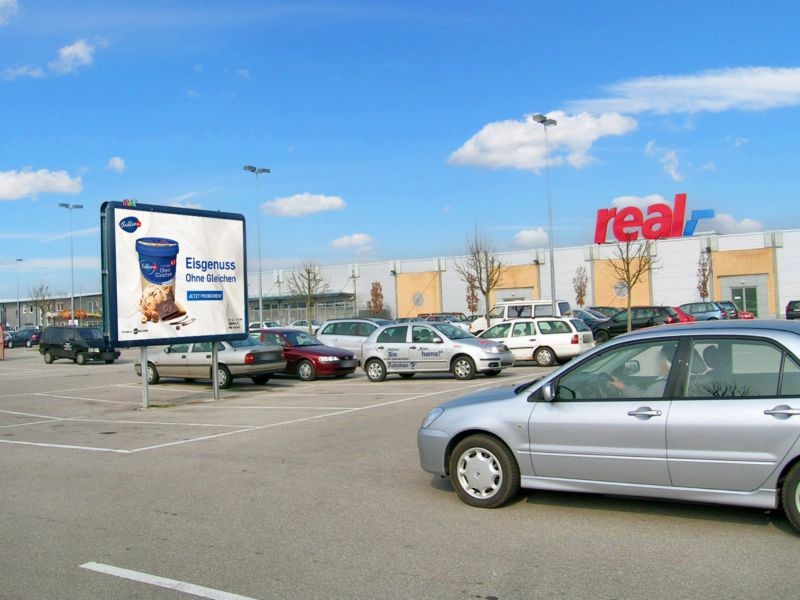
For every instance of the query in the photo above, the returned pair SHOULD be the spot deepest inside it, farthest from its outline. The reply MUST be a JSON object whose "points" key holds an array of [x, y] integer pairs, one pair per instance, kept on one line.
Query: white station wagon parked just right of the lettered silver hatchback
{"points": [[544, 340]]}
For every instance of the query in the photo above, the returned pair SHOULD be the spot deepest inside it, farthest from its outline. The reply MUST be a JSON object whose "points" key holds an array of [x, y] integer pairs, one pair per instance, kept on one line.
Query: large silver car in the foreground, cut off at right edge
{"points": [[706, 412]]}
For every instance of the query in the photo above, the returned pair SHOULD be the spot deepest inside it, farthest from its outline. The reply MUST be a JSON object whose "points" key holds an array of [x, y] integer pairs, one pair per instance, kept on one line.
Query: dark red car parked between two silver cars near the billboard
{"points": [[307, 357]]}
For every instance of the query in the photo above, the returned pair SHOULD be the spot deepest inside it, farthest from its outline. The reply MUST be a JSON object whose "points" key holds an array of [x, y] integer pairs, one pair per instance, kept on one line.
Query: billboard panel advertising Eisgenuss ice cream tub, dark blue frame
{"points": [[172, 274]]}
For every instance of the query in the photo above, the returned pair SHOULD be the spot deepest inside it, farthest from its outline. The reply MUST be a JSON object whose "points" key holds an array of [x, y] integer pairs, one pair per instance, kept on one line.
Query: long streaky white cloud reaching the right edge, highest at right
{"points": [[744, 88]]}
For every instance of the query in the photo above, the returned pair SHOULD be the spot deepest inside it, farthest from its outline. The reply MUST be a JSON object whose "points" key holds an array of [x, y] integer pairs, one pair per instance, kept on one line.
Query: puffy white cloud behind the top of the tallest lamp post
{"points": [[520, 144]]}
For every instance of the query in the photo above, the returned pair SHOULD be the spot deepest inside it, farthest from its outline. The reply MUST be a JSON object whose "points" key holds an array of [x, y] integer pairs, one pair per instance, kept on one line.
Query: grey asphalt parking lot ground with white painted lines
{"points": [[313, 490]]}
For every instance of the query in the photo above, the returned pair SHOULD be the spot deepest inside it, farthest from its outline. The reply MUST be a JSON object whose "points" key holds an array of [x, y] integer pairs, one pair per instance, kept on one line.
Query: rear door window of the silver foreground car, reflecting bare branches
{"points": [[731, 368]]}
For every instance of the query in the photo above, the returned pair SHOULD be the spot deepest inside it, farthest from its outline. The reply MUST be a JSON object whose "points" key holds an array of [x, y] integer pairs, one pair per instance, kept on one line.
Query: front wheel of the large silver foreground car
{"points": [[483, 471]]}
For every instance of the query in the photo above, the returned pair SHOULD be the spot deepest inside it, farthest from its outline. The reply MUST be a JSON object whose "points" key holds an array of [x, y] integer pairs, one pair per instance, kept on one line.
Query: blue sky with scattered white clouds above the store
{"points": [[392, 129]]}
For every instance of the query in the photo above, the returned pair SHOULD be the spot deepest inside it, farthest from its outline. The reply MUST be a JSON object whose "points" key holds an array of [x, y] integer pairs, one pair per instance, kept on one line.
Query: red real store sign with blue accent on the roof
{"points": [[660, 221]]}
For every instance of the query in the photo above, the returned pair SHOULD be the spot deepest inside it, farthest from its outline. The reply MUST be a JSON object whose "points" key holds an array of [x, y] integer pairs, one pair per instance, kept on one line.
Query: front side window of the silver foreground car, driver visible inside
{"points": [[630, 371]]}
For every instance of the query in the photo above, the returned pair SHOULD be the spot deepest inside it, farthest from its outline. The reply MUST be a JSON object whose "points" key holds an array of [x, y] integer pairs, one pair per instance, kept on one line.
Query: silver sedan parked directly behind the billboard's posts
{"points": [[241, 358]]}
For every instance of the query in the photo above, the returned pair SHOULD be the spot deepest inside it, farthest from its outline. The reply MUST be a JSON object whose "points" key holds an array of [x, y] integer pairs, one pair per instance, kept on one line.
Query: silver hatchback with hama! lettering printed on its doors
{"points": [[410, 348]]}
